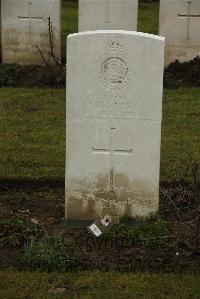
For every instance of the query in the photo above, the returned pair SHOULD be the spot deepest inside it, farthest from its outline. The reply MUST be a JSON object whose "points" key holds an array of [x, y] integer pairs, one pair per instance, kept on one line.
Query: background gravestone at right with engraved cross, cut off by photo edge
{"points": [[180, 24]]}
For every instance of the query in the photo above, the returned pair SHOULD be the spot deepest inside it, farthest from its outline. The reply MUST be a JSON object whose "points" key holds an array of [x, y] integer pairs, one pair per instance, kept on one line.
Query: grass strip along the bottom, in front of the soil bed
{"points": [[98, 285]]}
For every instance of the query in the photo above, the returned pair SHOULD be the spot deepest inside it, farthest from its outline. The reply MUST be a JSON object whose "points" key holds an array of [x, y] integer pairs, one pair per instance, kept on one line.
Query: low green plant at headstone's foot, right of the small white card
{"points": [[152, 232]]}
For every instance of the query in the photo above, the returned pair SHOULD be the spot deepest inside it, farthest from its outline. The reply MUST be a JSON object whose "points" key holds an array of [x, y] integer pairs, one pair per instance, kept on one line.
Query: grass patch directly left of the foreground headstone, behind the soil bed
{"points": [[32, 133]]}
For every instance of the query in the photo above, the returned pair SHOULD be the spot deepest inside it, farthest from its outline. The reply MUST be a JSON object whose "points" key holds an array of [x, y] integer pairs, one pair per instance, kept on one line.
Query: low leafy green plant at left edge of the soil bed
{"points": [[15, 232]]}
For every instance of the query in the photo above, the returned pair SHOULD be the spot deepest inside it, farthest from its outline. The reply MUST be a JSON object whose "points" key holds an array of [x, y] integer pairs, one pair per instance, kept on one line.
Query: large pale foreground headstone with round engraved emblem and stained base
{"points": [[114, 108]]}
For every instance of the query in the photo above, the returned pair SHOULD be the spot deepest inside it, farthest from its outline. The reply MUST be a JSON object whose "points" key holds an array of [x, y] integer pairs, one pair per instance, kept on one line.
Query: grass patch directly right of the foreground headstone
{"points": [[180, 132]]}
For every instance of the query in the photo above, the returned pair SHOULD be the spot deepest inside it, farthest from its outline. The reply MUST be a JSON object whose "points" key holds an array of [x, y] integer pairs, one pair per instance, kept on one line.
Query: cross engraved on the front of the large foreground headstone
{"points": [[112, 151]]}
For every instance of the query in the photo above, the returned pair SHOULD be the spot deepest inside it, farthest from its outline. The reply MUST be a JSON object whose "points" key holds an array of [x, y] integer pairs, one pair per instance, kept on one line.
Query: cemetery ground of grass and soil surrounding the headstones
{"points": [[163, 253]]}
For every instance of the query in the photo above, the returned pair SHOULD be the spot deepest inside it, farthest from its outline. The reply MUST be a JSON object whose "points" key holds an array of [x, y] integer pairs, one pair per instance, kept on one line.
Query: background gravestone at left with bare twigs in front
{"points": [[25, 27]]}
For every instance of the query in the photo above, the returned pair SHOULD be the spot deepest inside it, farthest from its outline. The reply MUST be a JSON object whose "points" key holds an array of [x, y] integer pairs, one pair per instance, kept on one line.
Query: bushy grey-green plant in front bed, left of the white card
{"points": [[51, 253]]}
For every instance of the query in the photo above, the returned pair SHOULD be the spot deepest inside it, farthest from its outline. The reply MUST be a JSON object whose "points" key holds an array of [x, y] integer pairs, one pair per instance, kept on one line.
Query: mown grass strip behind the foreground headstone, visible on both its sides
{"points": [[33, 133]]}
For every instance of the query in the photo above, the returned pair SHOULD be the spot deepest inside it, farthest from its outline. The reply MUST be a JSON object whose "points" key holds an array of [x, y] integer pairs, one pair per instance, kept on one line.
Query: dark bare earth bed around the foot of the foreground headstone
{"points": [[44, 202]]}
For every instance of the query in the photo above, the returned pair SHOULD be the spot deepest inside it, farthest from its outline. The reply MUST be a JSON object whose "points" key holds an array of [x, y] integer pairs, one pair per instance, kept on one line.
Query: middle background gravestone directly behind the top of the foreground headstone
{"points": [[107, 14]]}
